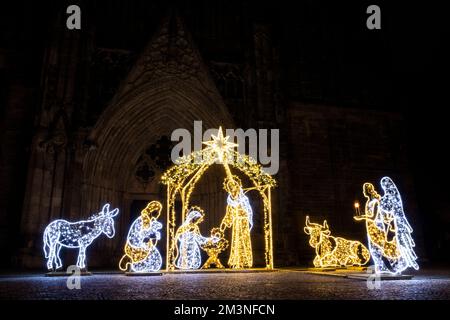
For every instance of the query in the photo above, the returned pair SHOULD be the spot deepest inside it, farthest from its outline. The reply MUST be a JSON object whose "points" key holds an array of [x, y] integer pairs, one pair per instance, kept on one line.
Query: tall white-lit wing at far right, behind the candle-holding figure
{"points": [[391, 203]]}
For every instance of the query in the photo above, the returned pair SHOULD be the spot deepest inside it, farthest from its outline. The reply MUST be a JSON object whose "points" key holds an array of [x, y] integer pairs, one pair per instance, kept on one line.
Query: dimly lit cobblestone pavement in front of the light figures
{"points": [[273, 285]]}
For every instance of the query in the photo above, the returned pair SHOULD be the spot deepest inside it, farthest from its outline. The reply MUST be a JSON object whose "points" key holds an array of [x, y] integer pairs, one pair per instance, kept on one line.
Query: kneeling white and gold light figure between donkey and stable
{"points": [[141, 254]]}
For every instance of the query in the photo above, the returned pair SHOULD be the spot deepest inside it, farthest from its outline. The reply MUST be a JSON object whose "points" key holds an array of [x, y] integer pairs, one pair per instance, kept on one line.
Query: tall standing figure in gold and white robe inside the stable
{"points": [[239, 217]]}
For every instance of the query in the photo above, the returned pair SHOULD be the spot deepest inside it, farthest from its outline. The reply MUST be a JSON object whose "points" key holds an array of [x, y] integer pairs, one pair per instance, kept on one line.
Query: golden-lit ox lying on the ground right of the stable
{"points": [[334, 251]]}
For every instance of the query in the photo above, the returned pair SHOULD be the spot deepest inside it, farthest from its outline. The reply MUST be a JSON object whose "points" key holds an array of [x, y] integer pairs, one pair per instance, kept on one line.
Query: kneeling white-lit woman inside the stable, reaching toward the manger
{"points": [[190, 240]]}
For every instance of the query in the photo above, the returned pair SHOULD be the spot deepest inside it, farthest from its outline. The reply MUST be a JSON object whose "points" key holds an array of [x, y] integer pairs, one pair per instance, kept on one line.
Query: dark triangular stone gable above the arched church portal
{"points": [[172, 55]]}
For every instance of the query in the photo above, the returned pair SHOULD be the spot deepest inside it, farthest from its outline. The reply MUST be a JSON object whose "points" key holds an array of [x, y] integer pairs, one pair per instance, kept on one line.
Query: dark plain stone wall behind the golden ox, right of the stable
{"points": [[332, 152]]}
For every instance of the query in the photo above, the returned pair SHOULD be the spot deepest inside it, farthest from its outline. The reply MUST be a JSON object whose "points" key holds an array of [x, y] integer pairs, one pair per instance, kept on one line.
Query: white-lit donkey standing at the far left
{"points": [[61, 233]]}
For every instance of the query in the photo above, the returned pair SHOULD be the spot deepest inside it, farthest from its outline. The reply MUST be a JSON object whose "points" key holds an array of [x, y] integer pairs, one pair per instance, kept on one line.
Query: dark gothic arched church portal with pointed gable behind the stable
{"points": [[169, 88]]}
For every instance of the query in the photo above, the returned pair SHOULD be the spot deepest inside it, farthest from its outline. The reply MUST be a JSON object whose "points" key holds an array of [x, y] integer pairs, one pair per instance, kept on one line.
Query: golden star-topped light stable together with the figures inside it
{"points": [[184, 241]]}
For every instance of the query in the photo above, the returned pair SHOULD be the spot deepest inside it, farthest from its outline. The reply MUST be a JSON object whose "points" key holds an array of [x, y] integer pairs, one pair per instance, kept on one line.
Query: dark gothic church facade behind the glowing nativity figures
{"points": [[99, 124]]}
